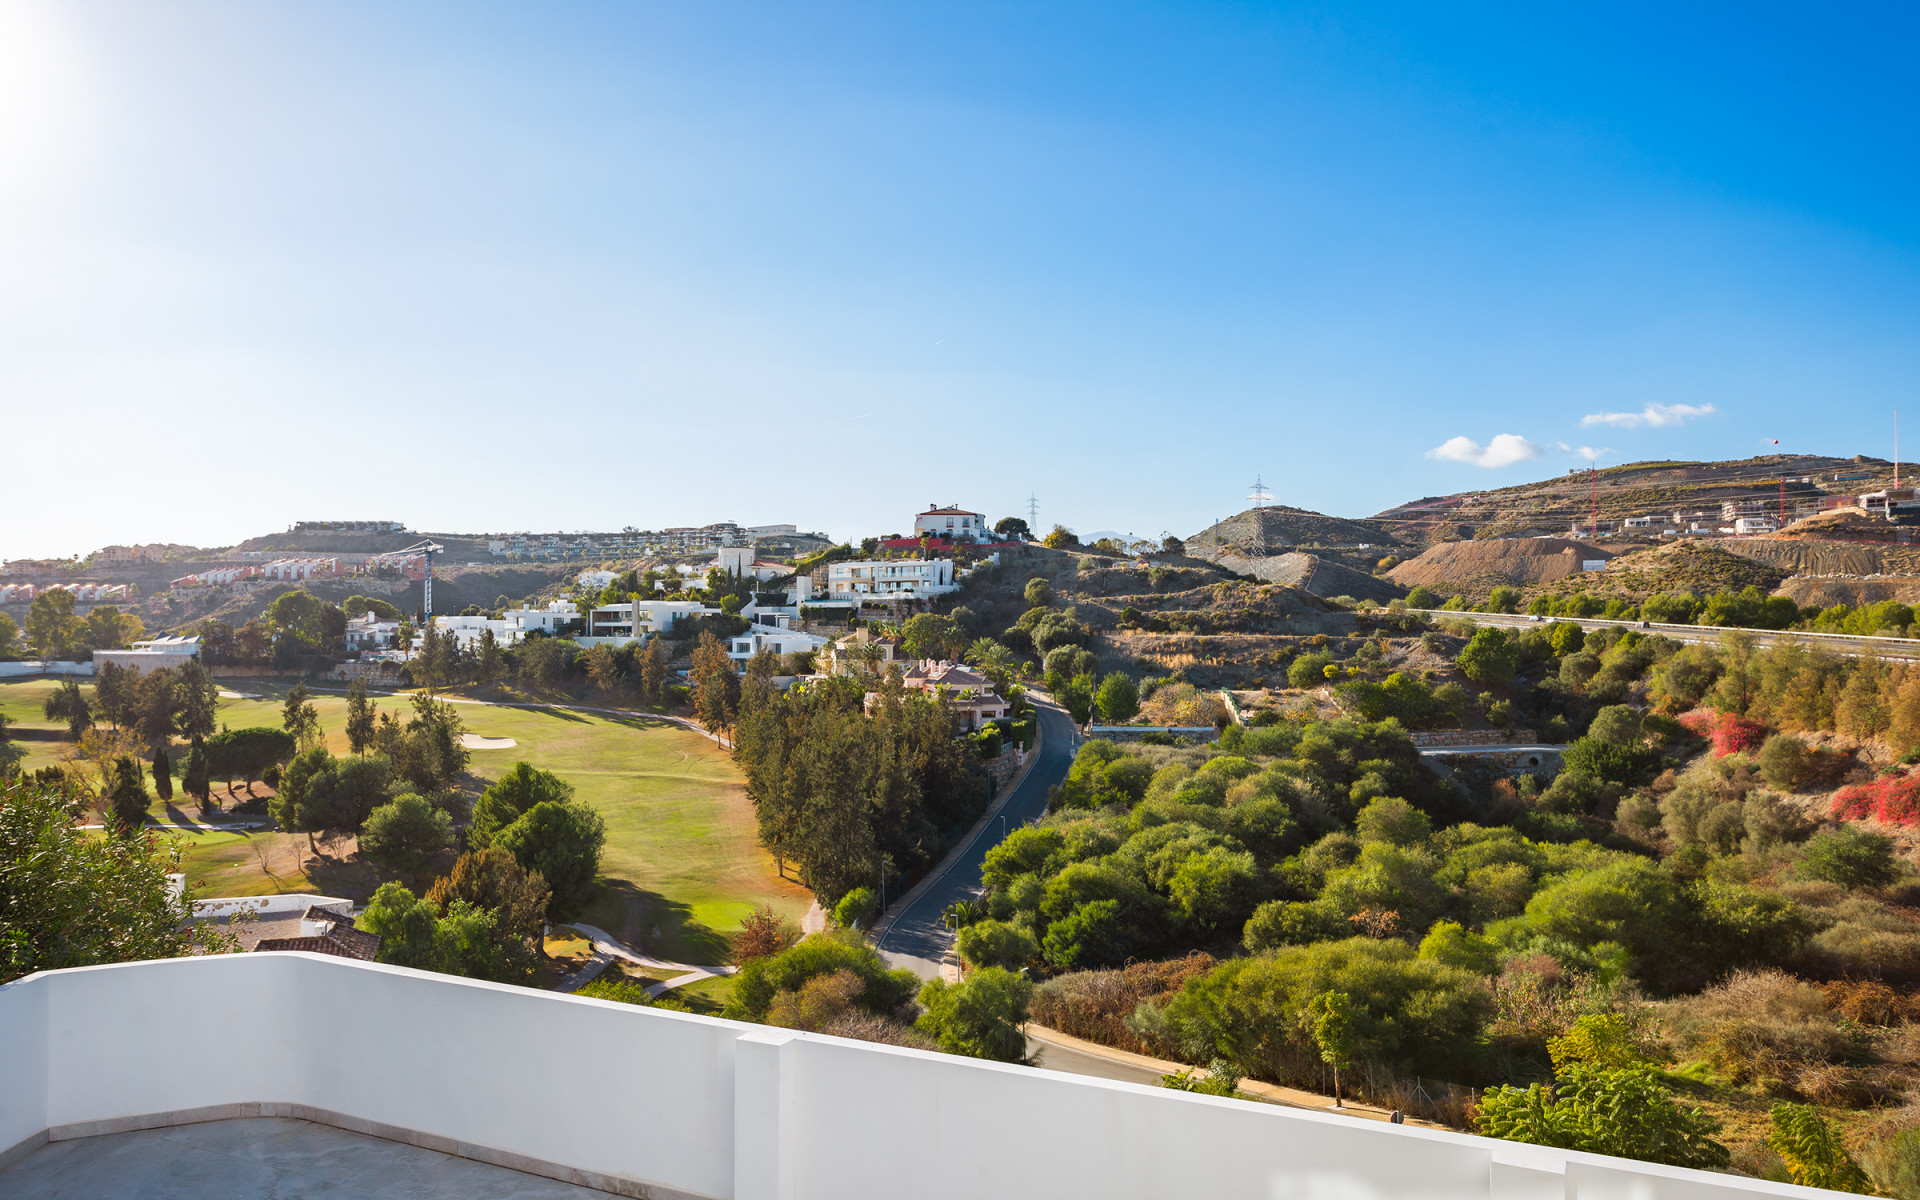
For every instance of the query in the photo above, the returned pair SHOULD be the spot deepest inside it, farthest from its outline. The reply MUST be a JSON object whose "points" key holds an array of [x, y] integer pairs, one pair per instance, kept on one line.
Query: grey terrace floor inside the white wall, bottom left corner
{"points": [[264, 1159]]}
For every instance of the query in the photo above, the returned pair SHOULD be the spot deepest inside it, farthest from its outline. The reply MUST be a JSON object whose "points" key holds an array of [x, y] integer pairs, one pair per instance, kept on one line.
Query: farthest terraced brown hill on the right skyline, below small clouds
{"points": [[1631, 491]]}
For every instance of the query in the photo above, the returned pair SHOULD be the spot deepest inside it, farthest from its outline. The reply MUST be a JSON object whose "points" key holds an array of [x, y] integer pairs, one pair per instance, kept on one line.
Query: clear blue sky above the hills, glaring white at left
{"points": [[527, 268]]}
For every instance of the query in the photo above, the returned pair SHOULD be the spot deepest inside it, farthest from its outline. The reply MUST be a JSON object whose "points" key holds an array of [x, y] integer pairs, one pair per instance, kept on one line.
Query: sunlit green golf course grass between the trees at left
{"points": [[683, 863]]}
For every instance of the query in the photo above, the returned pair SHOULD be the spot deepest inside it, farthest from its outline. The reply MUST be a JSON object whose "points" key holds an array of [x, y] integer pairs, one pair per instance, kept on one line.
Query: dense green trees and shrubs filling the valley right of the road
{"points": [[1671, 940]]}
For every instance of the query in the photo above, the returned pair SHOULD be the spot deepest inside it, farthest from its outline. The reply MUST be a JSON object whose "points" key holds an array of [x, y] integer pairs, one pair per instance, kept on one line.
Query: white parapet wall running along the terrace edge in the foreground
{"points": [[656, 1103]]}
